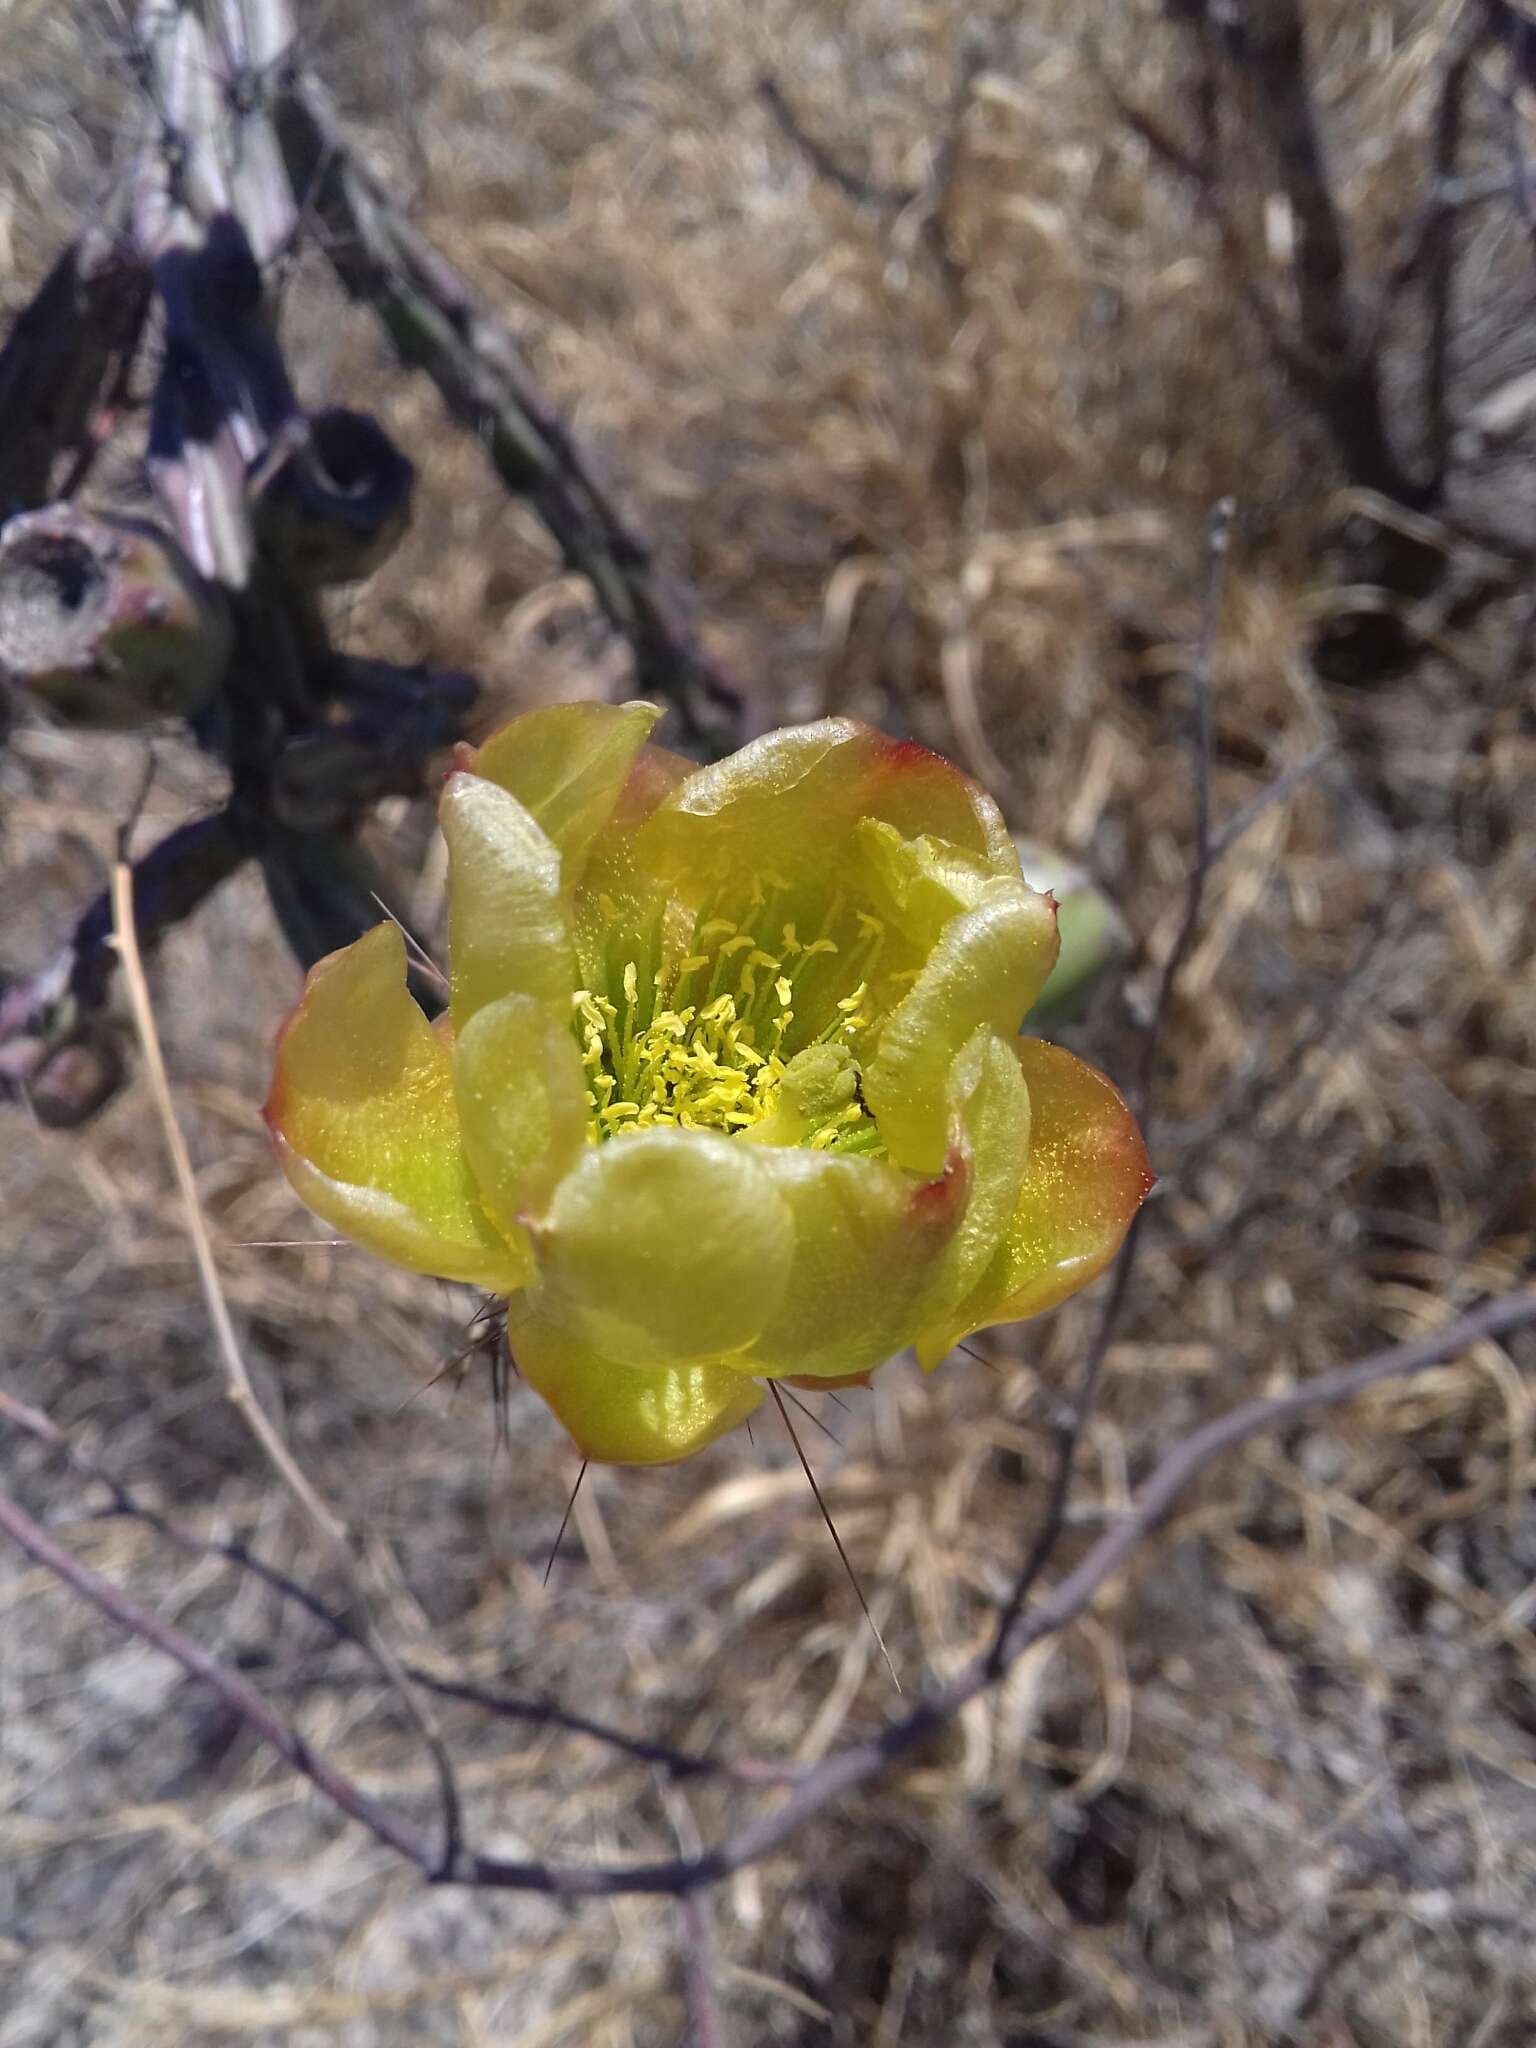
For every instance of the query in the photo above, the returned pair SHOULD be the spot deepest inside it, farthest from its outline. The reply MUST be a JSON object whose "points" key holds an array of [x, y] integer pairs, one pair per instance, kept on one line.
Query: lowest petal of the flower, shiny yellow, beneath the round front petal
{"points": [[620, 1414]]}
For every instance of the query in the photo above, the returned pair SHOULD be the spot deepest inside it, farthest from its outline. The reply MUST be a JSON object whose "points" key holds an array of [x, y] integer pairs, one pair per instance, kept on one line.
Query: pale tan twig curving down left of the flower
{"points": [[237, 1377]]}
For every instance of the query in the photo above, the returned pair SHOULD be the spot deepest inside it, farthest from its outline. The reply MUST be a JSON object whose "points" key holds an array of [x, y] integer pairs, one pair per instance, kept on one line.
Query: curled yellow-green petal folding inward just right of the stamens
{"points": [[988, 968]]}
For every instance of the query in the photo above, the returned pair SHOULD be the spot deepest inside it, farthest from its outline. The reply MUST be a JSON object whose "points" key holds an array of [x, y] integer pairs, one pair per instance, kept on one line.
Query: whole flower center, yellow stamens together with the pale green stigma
{"points": [[744, 1029]]}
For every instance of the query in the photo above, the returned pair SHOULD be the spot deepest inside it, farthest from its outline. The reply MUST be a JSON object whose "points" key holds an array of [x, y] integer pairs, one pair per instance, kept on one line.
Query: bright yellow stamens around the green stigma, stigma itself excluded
{"points": [[708, 1041]]}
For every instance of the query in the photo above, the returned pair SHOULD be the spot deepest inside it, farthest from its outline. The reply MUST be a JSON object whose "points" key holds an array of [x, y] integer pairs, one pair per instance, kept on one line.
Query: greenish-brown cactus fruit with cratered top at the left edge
{"points": [[105, 622]]}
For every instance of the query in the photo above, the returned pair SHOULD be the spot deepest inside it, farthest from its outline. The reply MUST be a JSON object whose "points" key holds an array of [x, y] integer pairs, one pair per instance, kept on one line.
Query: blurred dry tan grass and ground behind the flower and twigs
{"points": [[1281, 1787]]}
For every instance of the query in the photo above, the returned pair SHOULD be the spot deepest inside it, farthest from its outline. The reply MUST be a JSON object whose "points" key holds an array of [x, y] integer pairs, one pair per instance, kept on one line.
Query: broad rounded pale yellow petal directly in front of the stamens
{"points": [[665, 1248]]}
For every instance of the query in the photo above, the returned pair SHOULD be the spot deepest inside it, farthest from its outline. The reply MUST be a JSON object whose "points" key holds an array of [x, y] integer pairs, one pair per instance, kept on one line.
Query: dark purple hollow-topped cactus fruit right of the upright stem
{"points": [[341, 503]]}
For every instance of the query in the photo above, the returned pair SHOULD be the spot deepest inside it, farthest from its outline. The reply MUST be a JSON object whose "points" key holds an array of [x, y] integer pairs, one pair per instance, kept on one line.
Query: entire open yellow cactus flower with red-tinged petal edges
{"points": [[728, 1089]]}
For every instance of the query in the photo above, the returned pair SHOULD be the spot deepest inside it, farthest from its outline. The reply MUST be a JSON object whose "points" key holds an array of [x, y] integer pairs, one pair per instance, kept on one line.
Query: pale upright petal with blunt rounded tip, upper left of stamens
{"points": [[509, 933]]}
